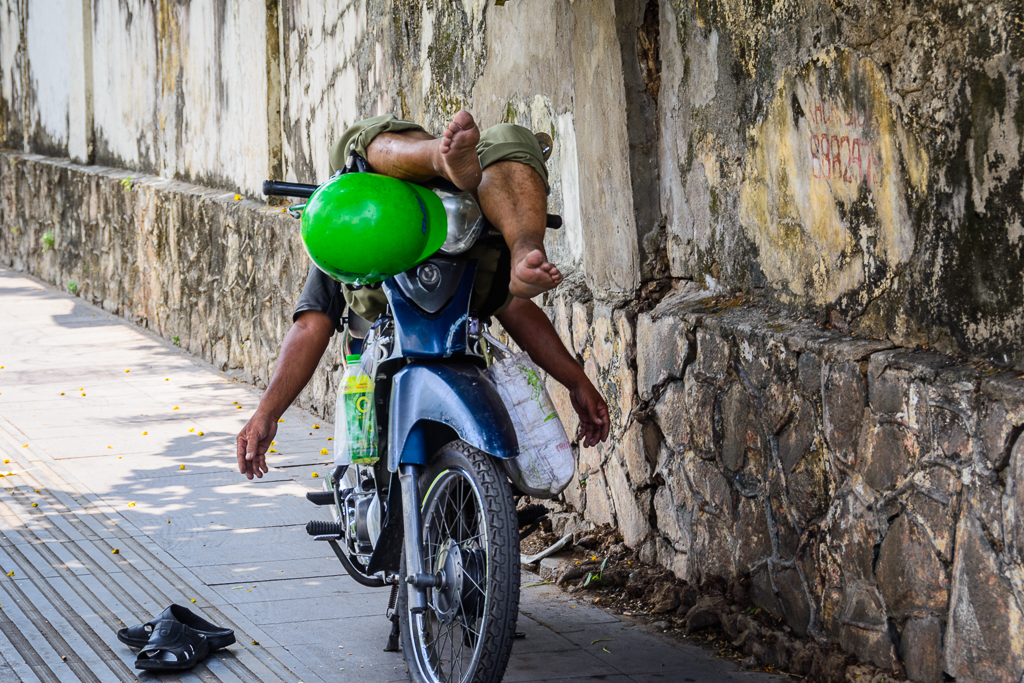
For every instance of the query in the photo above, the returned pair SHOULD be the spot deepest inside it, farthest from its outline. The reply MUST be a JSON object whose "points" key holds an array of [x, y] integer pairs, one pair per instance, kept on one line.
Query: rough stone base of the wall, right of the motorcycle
{"points": [[873, 495]]}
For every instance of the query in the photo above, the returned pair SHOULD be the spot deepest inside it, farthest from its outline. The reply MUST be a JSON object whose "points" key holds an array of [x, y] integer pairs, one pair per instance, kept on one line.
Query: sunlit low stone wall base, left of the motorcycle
{"points": [[209, 271]]}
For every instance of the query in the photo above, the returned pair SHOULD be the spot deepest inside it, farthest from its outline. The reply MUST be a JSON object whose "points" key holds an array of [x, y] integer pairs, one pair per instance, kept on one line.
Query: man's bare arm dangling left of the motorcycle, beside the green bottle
{"points": [[301, 354]]}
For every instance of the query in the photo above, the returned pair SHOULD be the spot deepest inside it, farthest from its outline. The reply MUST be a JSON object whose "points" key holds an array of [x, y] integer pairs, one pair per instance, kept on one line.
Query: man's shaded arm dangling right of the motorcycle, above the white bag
{"points": [[532, 330]]}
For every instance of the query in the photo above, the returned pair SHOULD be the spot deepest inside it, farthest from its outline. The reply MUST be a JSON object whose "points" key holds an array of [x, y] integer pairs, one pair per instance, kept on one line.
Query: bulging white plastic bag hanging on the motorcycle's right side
{"points": [[545, 464]]}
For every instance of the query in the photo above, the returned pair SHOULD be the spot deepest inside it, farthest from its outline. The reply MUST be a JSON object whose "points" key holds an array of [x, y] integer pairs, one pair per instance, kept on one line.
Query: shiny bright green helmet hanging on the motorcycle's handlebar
{"points": [[361, 229]]}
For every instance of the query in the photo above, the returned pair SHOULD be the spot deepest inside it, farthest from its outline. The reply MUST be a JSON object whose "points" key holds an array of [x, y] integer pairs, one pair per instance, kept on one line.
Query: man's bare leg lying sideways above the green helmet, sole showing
{"points": [[418, 157]]}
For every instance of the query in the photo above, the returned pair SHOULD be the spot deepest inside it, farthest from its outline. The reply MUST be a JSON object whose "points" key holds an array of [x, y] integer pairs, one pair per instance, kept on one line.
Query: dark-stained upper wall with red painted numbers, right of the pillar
{"points": [[855, 157]]}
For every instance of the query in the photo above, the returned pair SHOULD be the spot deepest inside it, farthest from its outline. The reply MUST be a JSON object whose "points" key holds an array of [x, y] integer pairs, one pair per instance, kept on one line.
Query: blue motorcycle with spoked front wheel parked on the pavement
{"points": [[436, 519]]}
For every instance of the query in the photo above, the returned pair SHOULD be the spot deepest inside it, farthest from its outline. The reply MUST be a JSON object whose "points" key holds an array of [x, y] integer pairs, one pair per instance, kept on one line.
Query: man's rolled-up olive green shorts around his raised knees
{"points": [[505, 142]]}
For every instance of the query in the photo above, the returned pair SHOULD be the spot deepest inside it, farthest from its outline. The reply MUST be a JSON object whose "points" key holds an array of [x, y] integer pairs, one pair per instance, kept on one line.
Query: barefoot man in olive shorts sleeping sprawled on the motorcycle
{"points": [[504, 168]]}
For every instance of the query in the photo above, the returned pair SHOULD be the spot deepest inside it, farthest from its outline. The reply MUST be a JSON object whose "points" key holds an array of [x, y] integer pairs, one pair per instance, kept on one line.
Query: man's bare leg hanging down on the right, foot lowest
{"points": [[514, 198]]}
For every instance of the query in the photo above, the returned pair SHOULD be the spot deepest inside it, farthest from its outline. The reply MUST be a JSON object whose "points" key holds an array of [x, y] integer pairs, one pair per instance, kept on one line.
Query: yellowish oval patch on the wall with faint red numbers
{"points": [[833, 182]]}
